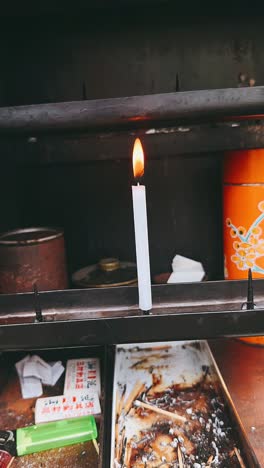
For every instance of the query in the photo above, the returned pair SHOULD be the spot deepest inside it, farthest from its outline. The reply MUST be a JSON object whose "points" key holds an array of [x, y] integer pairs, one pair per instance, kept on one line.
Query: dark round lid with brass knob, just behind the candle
{"points": [[108, 273]]}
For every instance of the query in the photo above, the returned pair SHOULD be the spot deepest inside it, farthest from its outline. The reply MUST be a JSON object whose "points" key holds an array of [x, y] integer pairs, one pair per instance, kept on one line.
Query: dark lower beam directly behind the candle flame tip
{"points": [[159, 143]]}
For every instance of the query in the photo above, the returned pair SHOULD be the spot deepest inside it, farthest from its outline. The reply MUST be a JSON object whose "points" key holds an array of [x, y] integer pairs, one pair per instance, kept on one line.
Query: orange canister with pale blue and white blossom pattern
{"points": [[243, 212]]}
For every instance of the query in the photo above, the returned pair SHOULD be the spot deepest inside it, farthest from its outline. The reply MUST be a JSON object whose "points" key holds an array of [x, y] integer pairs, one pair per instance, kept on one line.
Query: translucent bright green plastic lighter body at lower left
{"points": [[51, 435]]}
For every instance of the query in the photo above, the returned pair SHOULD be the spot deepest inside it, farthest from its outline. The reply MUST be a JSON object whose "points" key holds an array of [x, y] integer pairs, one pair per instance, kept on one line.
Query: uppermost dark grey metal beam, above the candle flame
{"points": [[133, 112]]}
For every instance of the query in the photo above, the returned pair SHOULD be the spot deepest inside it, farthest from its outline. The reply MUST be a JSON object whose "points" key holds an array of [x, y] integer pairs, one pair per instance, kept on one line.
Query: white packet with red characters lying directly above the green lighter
{"points": [[66, 406]]}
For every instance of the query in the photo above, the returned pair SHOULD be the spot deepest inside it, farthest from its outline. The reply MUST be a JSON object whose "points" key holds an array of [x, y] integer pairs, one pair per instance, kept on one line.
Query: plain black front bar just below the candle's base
{"points": [[176, 326]]}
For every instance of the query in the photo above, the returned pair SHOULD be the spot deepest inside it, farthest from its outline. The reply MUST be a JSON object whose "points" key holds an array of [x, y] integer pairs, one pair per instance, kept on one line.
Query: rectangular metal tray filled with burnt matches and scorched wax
{"points": [[139, 368]]}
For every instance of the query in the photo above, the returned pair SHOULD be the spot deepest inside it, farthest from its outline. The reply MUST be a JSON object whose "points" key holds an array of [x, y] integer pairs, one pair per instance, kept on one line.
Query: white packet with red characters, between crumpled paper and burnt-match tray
{"points": [[82, 375]]}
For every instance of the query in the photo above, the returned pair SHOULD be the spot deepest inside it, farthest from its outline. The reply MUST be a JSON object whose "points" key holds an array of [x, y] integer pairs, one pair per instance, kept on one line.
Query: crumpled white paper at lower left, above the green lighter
{"points": [[34, 371]]}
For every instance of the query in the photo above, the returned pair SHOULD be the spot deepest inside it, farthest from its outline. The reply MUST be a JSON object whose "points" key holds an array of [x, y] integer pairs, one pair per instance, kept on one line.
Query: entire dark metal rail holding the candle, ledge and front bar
{"points": [[110, 316]]}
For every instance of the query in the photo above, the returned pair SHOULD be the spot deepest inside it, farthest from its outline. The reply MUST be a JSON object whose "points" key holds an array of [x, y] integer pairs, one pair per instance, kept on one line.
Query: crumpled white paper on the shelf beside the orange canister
{"points": [[186, 270]]}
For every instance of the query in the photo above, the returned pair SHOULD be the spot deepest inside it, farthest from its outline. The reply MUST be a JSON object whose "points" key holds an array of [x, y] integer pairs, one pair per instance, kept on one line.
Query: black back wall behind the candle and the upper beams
{"points": [[74, 51]]}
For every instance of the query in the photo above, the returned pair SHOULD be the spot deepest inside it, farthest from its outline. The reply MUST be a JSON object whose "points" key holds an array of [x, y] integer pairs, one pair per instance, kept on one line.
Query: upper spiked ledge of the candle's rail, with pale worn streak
{"points": [[77, 304]]}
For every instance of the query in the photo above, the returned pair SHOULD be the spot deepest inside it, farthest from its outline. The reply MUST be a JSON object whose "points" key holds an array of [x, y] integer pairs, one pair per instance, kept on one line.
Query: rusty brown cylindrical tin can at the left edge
{"points": [[32, 256]]}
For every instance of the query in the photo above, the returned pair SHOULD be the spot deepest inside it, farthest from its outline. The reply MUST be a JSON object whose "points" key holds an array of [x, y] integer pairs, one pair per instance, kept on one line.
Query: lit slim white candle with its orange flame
{"points": [[141, 230]]}
